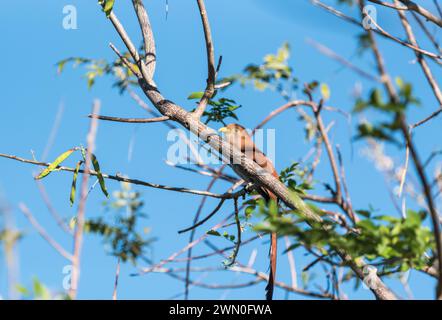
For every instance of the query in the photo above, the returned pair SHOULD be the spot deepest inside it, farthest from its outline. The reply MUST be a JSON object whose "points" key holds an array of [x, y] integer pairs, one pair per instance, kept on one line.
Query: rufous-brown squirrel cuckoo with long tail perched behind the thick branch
{"points": [[238, 137]]}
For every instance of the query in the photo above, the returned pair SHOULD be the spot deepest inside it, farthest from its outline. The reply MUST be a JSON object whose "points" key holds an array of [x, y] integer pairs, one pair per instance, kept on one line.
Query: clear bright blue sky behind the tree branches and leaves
{"points": [[244, 31]]}
